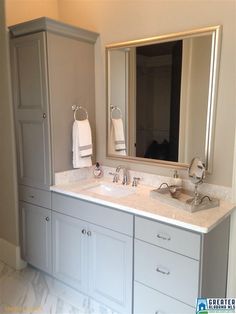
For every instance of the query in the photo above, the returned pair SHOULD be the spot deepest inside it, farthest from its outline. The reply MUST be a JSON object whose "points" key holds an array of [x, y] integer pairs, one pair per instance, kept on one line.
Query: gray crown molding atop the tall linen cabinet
{"points": [[53, 26]]}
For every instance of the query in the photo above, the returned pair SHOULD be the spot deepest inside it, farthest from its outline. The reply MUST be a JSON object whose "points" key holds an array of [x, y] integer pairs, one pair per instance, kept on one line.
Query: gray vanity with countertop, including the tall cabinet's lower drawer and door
{"points": [[133, 253]]}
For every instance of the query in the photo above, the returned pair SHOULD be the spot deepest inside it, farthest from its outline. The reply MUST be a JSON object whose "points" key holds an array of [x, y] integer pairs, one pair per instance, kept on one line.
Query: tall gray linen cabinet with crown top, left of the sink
{"points": [[52, 69]]}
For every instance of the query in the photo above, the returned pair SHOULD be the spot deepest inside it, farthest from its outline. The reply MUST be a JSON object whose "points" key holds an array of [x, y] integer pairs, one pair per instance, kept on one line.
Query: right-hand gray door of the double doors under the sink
{"points": [[110, 255]]}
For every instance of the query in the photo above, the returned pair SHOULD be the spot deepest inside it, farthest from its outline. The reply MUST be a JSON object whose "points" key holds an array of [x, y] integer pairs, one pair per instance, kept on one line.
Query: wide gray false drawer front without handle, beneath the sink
{"points": [[97, 214]]}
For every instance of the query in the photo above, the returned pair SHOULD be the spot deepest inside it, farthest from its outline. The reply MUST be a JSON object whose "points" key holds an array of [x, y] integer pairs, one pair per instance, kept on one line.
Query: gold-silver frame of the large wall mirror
{"points": [[215, 31]]}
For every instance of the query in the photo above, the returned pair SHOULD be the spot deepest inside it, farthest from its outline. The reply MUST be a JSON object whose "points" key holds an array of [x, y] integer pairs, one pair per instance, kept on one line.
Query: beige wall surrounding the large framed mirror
{"points": [[125, 20]]}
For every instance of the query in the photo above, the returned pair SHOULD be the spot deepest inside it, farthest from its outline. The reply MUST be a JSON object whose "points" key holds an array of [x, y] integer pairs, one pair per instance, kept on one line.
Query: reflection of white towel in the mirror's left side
{"points": [[117, 136]]}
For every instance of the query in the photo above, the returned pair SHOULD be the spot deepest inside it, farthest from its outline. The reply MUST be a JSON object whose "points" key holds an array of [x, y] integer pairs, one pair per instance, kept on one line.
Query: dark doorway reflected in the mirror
{"points": [[158, 89]]}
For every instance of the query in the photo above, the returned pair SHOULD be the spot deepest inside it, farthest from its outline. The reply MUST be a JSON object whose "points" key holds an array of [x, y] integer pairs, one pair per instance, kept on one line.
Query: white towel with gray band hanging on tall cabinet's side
{"points": [[82, 144]]}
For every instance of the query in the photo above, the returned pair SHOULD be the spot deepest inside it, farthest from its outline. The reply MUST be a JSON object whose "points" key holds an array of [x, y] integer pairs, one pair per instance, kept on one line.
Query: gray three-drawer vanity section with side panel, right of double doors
{"points": [[173, 267]]}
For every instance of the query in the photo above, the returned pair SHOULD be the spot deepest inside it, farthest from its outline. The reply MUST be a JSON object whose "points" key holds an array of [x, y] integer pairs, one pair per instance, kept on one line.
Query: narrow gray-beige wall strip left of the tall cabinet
{"points": [[8, 196]]}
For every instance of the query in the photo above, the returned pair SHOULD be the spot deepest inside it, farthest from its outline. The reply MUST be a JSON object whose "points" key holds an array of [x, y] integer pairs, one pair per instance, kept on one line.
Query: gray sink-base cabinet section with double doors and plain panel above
{"points": [[93, 250]]}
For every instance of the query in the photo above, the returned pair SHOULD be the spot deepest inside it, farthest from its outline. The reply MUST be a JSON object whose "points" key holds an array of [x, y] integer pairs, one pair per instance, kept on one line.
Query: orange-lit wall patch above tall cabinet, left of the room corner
{"points": [[18, 11]]}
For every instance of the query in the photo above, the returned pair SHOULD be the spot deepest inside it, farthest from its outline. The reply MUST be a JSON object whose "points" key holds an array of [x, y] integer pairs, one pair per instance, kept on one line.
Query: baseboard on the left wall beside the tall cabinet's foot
{"points": [[10, 254]]}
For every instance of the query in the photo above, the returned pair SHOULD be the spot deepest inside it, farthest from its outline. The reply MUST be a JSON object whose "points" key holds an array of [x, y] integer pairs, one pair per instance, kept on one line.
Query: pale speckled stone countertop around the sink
{"points": [[141, 203]]}
